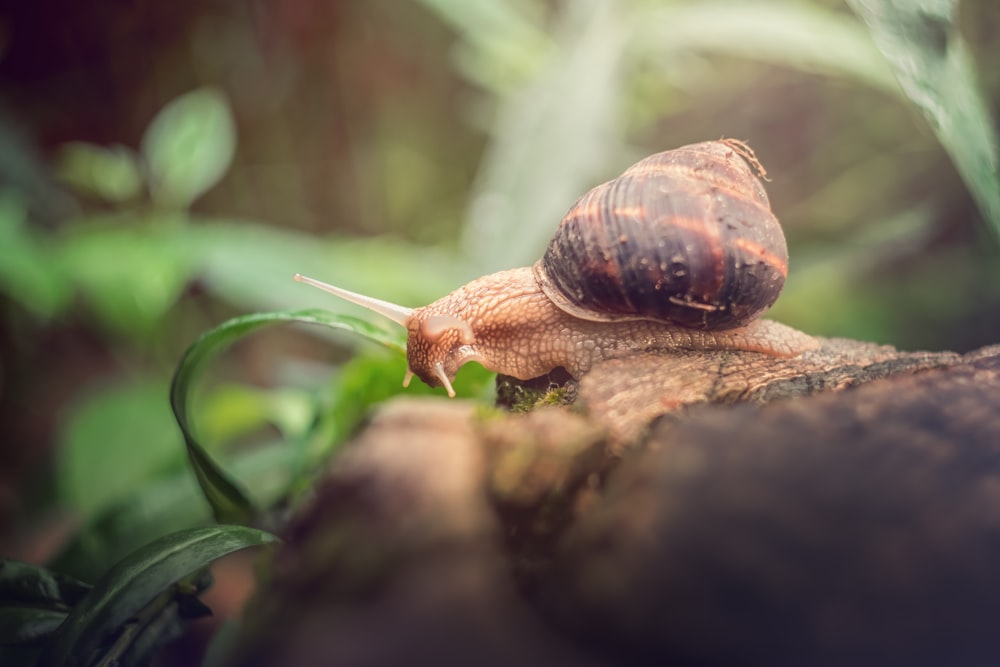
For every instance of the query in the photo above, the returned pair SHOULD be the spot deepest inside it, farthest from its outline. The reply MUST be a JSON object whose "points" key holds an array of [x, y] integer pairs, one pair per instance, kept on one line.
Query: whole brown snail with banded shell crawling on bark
{"points": [[680, 252]]}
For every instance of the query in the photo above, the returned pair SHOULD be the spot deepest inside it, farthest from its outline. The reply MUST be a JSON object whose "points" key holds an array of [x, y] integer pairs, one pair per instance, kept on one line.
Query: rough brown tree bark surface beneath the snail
{"points": [[724, 508]]}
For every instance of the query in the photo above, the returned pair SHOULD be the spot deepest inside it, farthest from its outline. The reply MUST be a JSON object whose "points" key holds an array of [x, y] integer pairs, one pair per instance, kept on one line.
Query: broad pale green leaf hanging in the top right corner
{"points": [[922, 42]]}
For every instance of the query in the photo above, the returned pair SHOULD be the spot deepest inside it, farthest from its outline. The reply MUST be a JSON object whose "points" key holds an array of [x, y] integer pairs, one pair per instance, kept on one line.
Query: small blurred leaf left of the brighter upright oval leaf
{"points": [[109, 173]]}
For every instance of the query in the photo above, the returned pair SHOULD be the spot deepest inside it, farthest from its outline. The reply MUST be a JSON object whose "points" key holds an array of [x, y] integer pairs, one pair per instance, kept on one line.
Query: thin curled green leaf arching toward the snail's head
{"points": [[228, 501]]}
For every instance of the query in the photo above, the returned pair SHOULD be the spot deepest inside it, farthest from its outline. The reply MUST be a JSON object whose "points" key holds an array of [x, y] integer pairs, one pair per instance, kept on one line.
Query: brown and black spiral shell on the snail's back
{"points": [[686, 236]]}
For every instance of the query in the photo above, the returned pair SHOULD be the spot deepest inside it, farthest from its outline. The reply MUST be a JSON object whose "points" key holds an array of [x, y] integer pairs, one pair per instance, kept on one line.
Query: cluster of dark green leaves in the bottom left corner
{"points": [[142, 601]]}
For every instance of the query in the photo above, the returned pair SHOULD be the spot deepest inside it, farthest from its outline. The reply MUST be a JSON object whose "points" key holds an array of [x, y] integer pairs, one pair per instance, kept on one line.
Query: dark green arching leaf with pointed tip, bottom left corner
{"points": [[135, 582]]}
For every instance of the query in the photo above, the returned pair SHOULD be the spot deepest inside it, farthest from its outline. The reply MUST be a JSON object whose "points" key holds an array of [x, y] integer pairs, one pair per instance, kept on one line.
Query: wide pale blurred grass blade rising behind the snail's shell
{"points": [[552, 140]]}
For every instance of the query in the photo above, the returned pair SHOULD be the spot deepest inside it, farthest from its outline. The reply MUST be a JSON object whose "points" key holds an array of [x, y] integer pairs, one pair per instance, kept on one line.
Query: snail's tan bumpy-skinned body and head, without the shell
{"points": [[518, 331]]}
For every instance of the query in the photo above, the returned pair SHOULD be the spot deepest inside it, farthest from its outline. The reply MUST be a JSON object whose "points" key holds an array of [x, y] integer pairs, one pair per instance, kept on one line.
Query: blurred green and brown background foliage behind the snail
{"points": [[166, 168]]}
